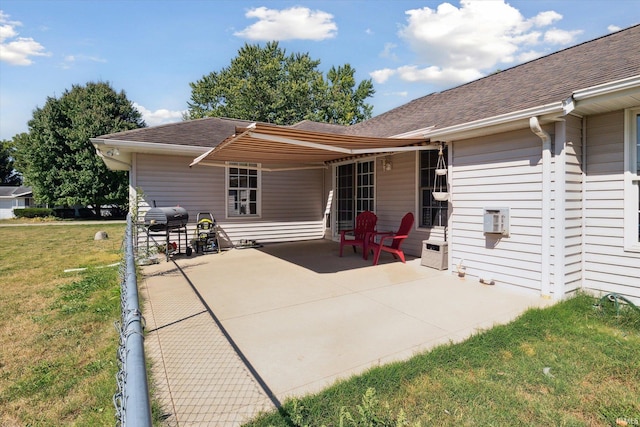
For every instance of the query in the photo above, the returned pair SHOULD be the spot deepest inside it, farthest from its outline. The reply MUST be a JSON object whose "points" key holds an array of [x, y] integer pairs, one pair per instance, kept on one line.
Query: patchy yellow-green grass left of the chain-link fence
{"points": [[58, 359]]}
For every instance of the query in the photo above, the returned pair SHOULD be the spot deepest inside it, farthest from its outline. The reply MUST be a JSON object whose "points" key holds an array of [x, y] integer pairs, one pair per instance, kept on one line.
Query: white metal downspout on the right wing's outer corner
{"points": [[545, 248]]}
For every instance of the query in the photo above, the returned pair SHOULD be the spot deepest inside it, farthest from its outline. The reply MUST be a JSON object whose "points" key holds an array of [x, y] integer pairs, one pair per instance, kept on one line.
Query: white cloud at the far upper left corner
{"points": [[17, 50]]}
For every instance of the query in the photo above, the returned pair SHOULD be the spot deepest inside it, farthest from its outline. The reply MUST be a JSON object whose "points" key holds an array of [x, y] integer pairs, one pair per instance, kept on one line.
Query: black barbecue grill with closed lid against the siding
{"points": [[168, 220]]}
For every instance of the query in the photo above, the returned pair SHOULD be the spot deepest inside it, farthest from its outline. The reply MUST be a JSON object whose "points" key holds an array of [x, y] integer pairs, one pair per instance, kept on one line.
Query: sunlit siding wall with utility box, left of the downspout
{"points": [[503, 170]]}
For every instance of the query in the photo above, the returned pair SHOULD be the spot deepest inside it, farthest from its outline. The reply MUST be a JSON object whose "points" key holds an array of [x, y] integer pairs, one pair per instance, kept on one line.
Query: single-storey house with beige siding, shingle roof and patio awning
{"points": [[543, 167]]}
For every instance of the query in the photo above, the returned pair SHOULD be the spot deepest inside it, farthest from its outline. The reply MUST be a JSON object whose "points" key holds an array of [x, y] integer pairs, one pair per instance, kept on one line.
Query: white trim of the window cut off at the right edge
{"points": [[631, 180]]}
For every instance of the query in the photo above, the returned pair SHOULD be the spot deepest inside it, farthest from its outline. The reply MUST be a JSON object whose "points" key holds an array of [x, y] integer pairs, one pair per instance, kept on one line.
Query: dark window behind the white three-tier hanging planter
{"points": [[433, 213]]}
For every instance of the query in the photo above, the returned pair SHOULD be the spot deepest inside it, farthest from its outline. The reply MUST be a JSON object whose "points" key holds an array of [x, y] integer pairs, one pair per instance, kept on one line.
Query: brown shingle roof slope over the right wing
{"points": [[549, 79]]}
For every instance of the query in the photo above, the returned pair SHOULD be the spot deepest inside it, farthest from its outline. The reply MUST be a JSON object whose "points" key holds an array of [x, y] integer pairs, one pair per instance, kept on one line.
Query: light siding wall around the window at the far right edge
{"points": [[607, 266]]}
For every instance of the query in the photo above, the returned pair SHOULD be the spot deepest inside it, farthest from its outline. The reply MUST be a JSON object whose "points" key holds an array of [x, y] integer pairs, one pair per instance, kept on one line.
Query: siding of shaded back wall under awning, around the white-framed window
{"points": [[291, 207]]}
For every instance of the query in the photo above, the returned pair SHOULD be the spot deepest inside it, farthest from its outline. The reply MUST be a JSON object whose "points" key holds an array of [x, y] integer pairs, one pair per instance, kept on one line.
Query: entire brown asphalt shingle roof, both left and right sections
{"points": [[549, 79]]}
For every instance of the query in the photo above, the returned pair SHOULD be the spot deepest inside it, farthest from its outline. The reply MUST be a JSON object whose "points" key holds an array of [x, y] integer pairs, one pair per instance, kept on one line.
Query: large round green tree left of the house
{"points": [[58, 160]]}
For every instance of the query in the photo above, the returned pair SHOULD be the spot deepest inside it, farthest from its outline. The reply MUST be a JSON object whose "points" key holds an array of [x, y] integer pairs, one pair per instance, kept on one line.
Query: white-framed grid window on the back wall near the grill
{"points": [[243, 180]]}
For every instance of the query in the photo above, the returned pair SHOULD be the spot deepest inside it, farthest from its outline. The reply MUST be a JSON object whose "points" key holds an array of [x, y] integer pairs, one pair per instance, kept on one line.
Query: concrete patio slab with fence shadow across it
{"points": [[235, 333]]}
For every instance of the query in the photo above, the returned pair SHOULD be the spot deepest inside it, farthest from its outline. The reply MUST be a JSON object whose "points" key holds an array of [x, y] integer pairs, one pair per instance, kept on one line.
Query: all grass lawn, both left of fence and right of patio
{"points": [[570, 364]]}
